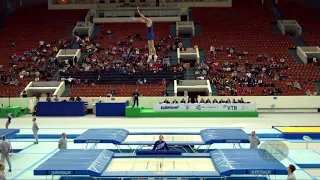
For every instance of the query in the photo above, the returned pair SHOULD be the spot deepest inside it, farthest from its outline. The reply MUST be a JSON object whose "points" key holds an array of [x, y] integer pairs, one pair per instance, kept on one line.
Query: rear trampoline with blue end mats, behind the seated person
{"points": [[122, 137]]}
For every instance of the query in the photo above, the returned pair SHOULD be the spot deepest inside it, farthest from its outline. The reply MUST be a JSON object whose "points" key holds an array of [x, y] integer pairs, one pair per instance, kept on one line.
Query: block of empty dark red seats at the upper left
{"points": [[26, 32]]}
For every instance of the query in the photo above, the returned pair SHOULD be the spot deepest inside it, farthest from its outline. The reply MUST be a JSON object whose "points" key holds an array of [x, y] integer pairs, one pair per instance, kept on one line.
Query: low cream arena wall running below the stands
{"points": [[264, 103]]}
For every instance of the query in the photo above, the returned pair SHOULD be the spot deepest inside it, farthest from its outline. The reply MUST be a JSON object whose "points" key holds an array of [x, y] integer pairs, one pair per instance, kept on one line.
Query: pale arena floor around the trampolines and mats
{"points": [[31, 156]]}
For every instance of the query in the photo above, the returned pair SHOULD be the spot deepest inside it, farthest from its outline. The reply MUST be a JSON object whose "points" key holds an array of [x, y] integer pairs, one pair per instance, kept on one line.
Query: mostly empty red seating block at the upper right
{"points": [[252, 32]]}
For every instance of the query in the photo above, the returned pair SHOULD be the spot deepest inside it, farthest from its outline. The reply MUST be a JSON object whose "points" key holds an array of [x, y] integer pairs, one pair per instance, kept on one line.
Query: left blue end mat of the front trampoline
{"points": [[91, 162]]}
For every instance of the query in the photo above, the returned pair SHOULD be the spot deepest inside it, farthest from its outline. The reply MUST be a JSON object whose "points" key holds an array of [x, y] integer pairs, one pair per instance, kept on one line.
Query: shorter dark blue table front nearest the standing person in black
{"points": [[111, 108]]}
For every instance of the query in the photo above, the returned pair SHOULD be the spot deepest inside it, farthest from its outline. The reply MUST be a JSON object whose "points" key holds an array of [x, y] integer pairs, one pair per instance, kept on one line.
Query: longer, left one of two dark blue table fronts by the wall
{"points": [[60, 109]]}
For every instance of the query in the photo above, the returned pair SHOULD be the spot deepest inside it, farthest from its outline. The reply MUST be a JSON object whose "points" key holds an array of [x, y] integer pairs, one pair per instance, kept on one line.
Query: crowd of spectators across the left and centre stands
{"points": [[40, 63]]}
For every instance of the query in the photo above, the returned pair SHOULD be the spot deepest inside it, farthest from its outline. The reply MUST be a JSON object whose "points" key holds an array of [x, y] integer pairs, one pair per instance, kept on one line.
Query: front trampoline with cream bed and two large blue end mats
{"points": [[103, 163]]}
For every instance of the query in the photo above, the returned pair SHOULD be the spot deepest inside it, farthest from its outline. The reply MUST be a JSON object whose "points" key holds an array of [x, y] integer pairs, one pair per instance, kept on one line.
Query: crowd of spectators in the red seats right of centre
{"points": [[239, 79]]}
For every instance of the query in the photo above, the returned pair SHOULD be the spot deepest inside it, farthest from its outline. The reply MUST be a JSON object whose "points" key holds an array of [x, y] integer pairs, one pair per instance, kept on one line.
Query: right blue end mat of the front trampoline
{"points": [[246, 161]]}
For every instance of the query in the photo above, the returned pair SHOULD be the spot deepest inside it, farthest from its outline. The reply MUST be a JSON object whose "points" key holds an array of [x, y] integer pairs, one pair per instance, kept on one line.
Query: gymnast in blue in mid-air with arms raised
{"points": [[152, 50]]}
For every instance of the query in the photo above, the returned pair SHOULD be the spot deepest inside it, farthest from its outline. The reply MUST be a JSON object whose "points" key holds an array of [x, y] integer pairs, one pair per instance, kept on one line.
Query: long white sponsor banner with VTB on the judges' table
{"points": [[205, 107]]}
